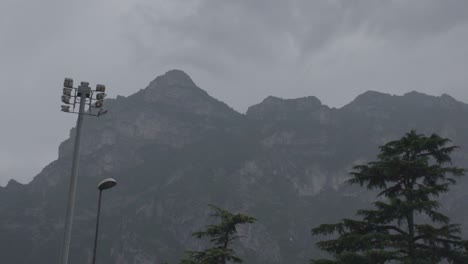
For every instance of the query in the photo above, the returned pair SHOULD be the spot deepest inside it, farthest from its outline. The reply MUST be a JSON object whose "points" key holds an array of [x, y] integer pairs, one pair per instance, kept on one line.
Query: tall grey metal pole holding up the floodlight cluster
{"points": [[73, 181]]}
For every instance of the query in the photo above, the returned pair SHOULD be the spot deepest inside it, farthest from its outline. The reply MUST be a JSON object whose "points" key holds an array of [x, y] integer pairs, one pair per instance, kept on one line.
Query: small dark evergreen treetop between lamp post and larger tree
{"points": [[222, 235]]}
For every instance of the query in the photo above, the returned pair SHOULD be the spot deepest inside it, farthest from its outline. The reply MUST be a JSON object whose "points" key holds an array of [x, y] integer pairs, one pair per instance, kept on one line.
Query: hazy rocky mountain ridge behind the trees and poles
{"points": [[174, 149]]}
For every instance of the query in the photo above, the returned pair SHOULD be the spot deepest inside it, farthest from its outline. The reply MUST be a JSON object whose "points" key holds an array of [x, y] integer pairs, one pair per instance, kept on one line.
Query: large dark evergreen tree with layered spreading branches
{"points": [[405, 225]]}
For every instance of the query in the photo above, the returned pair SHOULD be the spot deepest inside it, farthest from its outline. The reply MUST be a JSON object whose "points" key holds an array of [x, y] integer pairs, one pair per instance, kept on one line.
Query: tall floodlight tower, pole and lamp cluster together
{"points": [[88, 105]]}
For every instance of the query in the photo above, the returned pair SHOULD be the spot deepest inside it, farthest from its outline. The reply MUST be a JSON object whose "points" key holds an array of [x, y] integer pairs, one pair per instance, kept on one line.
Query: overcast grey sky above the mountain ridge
{"points": [[240, 51]]}
